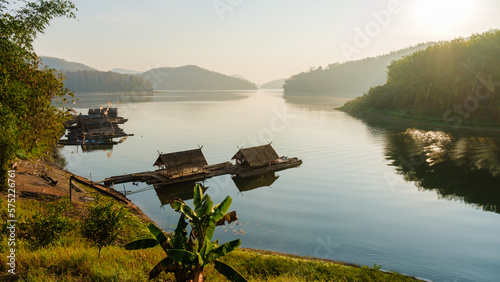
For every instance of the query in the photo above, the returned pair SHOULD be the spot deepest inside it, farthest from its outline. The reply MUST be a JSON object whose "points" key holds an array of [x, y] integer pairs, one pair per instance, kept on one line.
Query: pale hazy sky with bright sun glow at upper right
{"points": [[261, 40]]}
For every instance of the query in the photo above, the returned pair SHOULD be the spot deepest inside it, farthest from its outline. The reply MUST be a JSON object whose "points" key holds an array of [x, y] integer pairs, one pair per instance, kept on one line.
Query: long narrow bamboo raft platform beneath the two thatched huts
{"points": [[208, 171]]}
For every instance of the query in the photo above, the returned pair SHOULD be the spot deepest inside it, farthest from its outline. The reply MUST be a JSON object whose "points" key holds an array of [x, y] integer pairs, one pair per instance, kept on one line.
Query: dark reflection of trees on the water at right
{"points": [[463, 168]]}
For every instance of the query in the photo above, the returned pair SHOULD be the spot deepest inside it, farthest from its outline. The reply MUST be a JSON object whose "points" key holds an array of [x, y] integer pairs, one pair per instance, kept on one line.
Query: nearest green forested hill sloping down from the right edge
{"points": [[454, 81]]}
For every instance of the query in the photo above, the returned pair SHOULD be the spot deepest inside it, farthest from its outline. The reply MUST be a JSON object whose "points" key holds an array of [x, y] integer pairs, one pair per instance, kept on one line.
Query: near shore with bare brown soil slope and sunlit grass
{"points": [[72, 258]]}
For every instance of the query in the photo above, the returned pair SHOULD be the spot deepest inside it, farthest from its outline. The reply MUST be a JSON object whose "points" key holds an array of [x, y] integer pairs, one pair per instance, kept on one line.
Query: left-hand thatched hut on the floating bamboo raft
{"points": [[177, 162]]}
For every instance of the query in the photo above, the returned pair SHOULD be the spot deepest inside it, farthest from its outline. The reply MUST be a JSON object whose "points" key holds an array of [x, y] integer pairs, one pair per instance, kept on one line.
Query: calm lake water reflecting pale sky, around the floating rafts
{"points": [[423, 202]]}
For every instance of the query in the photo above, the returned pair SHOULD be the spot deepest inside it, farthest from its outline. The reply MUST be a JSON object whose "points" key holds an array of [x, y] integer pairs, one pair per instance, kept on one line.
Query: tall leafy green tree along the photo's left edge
{"points": [[29, 124]]}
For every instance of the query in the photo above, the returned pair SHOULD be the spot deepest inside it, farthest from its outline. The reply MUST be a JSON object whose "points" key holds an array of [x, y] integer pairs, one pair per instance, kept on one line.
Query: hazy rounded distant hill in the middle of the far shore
{"points": [[194, 78]]}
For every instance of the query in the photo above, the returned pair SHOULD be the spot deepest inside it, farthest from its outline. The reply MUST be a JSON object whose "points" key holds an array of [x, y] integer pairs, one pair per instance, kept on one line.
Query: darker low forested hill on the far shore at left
{"points": [[98, 81]]}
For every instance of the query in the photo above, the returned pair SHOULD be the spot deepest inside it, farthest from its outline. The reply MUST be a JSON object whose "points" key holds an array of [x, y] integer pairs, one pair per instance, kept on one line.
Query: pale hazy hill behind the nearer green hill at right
{"points": [[350, 79]]}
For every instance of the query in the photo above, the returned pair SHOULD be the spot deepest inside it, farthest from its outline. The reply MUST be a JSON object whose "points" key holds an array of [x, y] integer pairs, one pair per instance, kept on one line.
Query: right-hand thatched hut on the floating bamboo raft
{"points": [[255, 157]]}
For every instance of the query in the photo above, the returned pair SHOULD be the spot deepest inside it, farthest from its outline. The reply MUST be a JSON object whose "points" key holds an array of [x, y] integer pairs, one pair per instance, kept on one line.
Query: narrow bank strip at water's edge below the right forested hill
{"points": [[396, 119]]}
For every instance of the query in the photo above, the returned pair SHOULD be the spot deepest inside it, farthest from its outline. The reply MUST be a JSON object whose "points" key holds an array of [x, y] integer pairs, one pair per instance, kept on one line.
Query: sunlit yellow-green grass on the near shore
{"points": [[72, 258]]}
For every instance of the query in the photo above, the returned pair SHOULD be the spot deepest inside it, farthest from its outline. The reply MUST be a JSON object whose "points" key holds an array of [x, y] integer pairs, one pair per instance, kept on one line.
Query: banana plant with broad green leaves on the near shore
{"points": [[188, 254]]}
